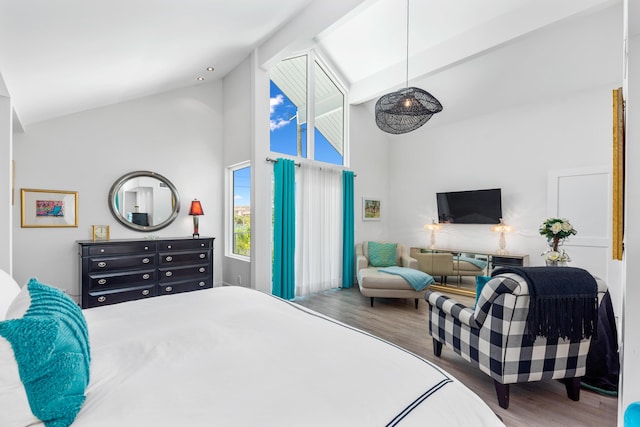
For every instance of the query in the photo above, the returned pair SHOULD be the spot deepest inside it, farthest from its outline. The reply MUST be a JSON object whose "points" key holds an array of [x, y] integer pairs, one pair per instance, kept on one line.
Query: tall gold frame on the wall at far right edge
{"points": [[617, 216]]}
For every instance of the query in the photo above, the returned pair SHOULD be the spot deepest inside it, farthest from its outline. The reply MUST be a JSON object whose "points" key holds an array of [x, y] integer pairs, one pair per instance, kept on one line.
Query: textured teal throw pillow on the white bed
{"points": [[51, 347]]}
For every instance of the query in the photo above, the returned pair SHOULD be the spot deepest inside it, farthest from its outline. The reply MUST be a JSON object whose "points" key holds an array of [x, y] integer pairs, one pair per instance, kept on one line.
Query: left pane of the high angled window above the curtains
{"points": [[288, 117]]}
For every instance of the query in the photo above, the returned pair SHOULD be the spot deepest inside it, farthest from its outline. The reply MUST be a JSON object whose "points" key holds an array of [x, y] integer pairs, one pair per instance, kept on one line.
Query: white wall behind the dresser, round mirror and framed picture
{"points": [[177, 134]]}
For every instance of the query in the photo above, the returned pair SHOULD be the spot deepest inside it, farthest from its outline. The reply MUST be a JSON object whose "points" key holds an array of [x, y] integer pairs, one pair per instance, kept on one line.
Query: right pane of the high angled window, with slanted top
{"points": [[329, 119]]}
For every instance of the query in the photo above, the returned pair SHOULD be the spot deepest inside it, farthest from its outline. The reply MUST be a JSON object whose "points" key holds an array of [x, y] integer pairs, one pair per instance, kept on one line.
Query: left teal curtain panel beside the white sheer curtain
{"points": [[284, 230]]}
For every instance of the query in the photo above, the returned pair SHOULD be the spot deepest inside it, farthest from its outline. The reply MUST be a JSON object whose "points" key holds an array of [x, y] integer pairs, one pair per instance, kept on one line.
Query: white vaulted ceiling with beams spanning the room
{"points": [[59, 57]]}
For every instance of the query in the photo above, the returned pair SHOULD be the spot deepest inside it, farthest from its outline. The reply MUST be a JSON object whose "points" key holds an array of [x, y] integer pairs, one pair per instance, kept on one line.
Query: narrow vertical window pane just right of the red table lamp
{"points": [[242, 211]]}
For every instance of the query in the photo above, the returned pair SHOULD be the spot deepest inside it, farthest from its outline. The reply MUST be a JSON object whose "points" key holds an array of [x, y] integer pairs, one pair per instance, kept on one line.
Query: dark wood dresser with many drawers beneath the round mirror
{"points": [[115, 271]]}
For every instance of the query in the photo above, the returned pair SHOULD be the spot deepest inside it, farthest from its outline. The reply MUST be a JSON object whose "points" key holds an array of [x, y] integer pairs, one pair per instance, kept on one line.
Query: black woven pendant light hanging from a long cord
{"points": [[406, 109]]}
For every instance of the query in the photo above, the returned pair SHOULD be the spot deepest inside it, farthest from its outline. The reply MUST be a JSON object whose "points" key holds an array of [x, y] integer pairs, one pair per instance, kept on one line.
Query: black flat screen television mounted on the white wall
{"points": [[470, 207]]}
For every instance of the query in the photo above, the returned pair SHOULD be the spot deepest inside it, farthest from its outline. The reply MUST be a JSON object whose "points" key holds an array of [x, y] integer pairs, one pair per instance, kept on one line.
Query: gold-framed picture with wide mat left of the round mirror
{"points": [[49, 208]]}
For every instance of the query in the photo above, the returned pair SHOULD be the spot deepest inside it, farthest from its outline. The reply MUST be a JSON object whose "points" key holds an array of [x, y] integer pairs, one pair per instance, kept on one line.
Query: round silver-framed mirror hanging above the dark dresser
{"points": [[144, 201]]}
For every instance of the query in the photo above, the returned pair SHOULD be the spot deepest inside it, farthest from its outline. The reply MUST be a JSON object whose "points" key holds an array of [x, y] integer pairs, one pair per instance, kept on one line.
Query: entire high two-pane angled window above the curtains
{"points": [[305, 95]]}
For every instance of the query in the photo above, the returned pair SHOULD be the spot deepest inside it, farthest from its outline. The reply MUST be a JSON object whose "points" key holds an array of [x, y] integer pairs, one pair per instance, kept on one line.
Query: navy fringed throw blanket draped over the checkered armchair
{"points": [[563, 301]]}
